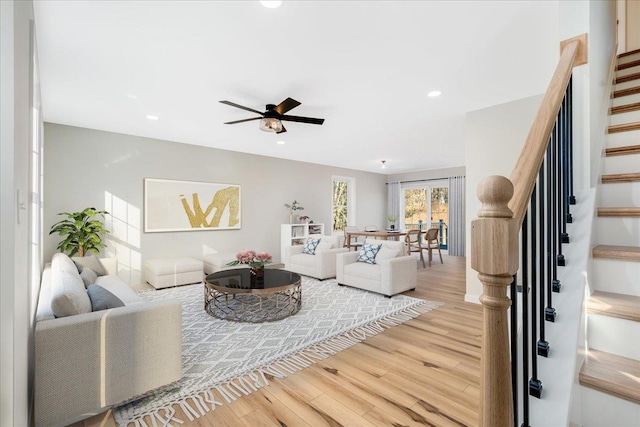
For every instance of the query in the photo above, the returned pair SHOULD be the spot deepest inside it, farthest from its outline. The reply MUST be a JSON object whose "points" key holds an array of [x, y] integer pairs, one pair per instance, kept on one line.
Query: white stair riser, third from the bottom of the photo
{"points": [[616, 276]]}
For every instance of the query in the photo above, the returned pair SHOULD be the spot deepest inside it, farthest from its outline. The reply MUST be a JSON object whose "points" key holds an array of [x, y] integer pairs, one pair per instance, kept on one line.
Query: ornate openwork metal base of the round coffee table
{"points": [[255, 307]]}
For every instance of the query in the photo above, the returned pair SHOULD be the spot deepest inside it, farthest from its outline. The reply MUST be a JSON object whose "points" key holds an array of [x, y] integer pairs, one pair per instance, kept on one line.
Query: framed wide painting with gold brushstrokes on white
{"points": [[171, 205]]}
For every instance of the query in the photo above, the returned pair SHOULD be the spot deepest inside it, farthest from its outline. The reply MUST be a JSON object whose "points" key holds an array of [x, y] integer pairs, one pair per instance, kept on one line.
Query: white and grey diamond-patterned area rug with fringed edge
{"points": [[223, 361]]}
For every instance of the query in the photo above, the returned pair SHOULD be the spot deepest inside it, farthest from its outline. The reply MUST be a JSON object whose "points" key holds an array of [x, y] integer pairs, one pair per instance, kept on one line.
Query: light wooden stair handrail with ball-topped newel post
{"points": [[494, 241]]}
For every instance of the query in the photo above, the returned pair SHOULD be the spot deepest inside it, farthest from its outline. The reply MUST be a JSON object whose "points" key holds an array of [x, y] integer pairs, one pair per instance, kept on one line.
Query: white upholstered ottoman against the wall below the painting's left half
{"points": [[162, 273]]}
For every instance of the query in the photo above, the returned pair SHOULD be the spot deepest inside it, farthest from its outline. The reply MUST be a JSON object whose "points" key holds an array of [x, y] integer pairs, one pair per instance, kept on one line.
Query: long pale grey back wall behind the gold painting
{"points": [[81, 165]]}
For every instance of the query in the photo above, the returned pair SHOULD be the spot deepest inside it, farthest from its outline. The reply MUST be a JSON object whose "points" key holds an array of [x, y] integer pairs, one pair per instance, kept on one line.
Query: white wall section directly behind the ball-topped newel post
{"points": [[493, 139]]}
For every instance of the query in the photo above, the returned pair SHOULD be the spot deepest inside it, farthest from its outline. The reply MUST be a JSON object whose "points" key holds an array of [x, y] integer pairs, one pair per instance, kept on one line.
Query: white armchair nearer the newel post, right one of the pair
{"points": [[393, 272]]}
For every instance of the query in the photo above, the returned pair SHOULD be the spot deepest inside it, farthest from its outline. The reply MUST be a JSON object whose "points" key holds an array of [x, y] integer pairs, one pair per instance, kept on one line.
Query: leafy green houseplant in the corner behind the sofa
{"points": [[81, 231]]}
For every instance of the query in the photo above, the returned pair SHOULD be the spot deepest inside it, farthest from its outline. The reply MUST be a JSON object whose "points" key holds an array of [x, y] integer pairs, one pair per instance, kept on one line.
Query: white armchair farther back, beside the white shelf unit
{"points": [[322, 265]]}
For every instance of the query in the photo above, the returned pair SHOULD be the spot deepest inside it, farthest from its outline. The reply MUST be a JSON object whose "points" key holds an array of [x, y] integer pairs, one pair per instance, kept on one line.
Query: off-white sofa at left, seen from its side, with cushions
{"points": [[88, 361]]}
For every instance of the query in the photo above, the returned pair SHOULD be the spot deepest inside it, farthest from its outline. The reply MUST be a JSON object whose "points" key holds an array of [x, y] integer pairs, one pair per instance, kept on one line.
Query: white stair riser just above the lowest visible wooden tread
{"points": [[613, 335]]}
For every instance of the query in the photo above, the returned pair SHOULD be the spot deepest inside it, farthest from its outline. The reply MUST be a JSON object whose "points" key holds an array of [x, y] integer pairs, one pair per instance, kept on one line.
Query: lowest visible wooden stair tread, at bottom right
{"points": [[615, 375]]}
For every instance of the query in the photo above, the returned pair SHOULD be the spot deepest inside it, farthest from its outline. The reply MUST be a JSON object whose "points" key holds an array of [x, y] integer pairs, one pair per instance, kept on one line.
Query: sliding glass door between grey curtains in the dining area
{"points": [[426, 205]]}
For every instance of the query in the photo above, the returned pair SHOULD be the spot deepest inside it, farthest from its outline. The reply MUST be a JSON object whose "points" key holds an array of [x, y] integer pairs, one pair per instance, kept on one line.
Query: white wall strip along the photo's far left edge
{"points": [[15, 317]]}
